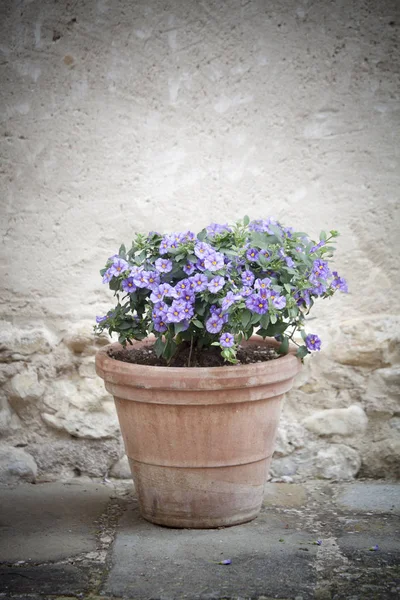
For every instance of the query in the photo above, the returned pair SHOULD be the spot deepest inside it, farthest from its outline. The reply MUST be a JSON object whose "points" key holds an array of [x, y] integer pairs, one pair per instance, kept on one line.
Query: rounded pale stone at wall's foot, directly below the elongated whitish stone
{"points": [[337, 461]]}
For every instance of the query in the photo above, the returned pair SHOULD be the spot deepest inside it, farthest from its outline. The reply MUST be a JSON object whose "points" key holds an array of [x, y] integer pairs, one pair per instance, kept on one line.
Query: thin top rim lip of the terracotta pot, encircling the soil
{"points": [[252, 368]]}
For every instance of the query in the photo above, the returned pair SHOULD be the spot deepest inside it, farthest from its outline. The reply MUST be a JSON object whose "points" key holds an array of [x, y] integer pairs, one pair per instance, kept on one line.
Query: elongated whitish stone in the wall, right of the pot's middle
{"points": [[340, 421]]}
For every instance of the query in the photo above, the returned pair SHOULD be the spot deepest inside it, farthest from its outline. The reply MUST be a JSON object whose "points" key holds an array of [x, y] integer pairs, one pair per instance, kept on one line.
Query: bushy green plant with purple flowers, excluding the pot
{"points": [[219, 287]]}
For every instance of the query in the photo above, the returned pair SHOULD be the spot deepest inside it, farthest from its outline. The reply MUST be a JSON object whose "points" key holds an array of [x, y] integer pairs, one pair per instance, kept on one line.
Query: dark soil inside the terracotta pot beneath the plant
{"points": [[206, 357]]}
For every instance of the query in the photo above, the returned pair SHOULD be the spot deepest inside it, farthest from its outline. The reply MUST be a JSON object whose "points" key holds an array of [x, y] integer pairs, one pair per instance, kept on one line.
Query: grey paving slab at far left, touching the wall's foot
{"points": [[50, 521]]}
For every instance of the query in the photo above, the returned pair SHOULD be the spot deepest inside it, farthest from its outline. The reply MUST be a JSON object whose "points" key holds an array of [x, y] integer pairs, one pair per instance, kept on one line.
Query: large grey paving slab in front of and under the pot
{"points": [[149, 561]]}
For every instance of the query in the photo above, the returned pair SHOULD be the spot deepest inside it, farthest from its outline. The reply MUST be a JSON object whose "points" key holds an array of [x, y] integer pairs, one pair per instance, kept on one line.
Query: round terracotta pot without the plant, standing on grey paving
{"points": [[199, 440]]}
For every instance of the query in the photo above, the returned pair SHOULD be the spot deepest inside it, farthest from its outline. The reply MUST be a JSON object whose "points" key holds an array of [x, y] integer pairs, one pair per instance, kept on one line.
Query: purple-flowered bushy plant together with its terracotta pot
{"points": [[198, 395]]}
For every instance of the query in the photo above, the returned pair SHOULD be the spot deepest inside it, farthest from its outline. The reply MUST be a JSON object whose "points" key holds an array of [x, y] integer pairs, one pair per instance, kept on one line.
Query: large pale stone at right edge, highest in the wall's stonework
{"points": [[372, 342]]}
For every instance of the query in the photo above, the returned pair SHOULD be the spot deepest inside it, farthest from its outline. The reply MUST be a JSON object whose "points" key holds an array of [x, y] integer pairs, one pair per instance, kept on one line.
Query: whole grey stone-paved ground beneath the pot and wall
{"points": [[86, 539]]}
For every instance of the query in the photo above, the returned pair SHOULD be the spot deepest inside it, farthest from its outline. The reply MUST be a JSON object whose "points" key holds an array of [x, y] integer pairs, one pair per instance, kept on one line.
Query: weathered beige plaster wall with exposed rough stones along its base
{"points": [[118, 117]]}
